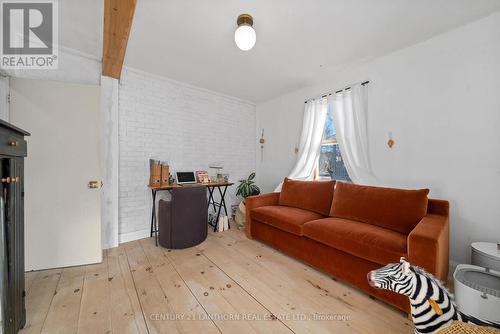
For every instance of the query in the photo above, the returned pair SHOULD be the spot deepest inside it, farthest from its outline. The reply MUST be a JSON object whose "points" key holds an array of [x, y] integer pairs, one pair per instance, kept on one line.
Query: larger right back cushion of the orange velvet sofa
{"points": [[396, 209]]}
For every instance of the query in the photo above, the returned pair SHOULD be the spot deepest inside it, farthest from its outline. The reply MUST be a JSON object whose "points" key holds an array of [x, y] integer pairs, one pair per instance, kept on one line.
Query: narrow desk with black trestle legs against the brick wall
{"points": [[218, 206]]}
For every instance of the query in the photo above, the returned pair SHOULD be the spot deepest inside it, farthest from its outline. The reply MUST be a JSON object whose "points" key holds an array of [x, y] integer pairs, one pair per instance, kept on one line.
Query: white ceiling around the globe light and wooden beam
{"points": [[192, 40]]}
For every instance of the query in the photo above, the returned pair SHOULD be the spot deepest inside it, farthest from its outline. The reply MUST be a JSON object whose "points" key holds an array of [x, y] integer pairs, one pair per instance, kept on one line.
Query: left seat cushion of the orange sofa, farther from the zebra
{"points": [[283, 217]]}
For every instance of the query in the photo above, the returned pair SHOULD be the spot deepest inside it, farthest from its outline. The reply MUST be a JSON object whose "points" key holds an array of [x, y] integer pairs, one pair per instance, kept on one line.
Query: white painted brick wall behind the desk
{"points": [[186, 126]]}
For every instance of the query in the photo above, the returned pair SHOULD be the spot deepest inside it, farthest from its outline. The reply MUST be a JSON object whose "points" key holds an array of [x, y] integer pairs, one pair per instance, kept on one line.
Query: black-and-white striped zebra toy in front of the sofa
{"points": [[432, 307]]}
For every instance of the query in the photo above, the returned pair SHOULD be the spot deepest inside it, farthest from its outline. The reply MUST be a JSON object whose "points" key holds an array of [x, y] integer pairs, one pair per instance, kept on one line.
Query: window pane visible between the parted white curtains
{"points": [[330, 162]]}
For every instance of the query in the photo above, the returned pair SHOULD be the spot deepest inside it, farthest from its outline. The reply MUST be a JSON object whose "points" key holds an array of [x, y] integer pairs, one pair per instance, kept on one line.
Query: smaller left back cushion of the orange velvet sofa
{"points": [[314, 196]]}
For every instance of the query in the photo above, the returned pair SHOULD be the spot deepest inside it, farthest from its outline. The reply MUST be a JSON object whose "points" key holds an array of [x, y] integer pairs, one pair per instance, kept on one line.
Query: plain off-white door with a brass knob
{"points": [[62, 214]]}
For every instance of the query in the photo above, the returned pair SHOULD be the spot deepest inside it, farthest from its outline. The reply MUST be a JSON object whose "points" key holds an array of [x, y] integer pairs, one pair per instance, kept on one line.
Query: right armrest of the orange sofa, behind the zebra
{"points": [[428, 245]]}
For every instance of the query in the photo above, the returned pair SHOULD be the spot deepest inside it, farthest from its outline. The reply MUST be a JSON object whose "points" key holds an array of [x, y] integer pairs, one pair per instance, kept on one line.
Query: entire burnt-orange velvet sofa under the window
{"points": [[347, 230]]}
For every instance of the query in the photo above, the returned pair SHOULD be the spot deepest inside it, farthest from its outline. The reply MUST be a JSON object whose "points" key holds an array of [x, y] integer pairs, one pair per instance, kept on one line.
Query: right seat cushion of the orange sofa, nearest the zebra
{"points": [[366, 241]]}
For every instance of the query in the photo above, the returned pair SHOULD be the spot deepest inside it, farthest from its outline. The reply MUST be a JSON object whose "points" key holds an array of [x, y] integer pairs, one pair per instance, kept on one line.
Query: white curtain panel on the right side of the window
{"points": [[350, 115]]}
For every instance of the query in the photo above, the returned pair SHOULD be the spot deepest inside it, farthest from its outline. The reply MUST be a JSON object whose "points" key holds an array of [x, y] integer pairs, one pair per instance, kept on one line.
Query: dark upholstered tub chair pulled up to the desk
{"points": [[183, 219]]}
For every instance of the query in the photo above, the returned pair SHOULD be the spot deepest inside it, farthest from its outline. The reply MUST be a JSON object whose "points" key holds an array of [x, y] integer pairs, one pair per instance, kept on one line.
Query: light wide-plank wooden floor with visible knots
{"points": [[228, 284]]}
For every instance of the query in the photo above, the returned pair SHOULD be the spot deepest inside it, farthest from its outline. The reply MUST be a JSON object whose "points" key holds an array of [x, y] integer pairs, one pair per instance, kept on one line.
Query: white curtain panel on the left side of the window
{"points": [[310, 140]]}
